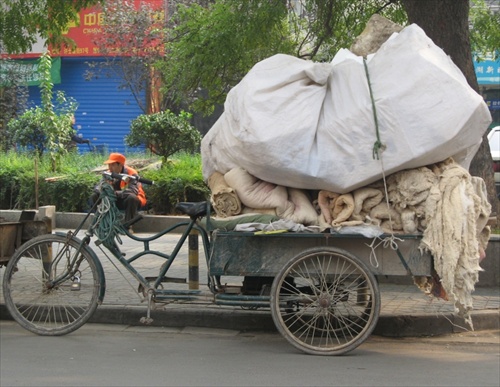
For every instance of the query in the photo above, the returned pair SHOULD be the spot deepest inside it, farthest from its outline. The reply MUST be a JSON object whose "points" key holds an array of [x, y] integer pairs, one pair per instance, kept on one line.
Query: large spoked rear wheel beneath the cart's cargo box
{"points": [[325, 301]]}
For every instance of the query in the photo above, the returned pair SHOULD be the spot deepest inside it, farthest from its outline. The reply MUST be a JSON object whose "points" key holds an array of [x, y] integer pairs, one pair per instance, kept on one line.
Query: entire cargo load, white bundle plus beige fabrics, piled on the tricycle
{"points": [[381, 142]]}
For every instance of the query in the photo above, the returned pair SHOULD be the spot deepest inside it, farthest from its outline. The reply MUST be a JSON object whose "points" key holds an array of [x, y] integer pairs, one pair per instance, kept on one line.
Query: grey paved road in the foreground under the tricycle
{"points": [[117, 355]]}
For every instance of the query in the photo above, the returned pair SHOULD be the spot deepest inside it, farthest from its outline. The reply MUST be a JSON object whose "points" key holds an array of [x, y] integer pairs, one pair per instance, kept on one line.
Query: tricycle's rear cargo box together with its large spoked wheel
{"points": [[321, 288]]}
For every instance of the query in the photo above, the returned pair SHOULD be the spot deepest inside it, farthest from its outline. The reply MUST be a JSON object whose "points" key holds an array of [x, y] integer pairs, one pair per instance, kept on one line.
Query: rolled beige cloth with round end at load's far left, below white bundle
{"points": [[224, 199]]}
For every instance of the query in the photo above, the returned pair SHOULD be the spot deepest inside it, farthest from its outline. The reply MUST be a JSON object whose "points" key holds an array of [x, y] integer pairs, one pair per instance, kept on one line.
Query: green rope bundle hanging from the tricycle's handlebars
{"points": [[108, 220]]}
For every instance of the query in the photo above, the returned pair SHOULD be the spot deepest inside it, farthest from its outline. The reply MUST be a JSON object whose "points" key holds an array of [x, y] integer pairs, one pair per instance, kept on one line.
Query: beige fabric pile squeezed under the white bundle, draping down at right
{"points": [[442, 201]]}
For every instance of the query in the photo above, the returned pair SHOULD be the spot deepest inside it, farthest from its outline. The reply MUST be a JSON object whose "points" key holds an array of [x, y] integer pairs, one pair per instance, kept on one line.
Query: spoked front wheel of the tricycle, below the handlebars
{"points": [[51, 285]]}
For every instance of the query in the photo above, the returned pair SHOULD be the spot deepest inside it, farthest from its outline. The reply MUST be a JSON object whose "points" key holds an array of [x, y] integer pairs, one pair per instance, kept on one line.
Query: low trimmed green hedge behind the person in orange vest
{"points": [[179, 180]]}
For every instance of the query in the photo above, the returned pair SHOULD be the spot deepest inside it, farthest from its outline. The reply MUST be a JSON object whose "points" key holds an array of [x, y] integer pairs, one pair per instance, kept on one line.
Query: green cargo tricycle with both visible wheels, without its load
{"points": [[321, 288]]}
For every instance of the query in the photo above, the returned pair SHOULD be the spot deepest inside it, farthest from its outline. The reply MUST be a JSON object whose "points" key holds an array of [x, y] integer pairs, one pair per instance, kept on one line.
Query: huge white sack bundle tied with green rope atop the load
{"points": [[310, 125]]}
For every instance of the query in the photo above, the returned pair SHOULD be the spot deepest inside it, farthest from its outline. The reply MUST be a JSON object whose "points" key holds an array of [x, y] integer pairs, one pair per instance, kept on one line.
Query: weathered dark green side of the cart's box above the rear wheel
{"points": [[245, 253]]}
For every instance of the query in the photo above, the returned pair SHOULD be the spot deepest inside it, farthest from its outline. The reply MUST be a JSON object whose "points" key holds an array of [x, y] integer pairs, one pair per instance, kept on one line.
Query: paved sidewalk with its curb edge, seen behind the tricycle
{"points": [[405, 310]]}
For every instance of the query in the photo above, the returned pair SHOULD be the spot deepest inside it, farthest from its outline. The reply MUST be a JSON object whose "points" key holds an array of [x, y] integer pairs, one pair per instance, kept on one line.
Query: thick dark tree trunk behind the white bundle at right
{"points": [[446, 22]]}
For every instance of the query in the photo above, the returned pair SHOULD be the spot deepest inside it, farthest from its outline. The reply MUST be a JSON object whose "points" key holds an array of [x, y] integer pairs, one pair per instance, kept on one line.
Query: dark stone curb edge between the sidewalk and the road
{"points": [[417, 325]]}
